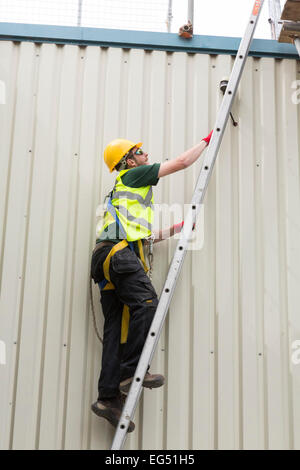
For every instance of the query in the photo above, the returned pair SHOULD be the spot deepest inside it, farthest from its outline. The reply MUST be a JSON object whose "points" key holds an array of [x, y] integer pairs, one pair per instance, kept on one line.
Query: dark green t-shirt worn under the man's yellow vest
{"points": [[144, 175]]}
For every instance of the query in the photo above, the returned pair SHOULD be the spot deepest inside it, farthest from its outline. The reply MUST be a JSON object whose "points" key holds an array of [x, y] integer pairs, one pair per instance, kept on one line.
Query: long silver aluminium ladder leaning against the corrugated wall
{"points": [[180, 252]]}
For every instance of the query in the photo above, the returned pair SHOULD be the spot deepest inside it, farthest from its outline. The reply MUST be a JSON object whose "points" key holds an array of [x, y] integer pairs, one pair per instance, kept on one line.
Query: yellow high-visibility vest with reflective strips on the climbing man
{"points": [[132, 209]]}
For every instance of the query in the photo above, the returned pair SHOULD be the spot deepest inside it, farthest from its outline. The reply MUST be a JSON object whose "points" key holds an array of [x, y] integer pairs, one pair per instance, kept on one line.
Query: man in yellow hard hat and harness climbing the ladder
{"points": [[128, 298]]}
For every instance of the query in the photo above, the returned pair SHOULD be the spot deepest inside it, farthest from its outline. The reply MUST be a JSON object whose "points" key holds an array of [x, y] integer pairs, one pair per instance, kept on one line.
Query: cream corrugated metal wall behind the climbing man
{"points": [[227, 344]]}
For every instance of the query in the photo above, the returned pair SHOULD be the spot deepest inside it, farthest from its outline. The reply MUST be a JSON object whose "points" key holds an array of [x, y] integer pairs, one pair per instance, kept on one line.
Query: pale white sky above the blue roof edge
{"points": [[211, 17]]}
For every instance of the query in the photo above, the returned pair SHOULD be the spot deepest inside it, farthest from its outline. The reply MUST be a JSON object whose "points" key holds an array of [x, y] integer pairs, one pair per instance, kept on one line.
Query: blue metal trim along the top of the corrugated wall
{"points": [[141, 40]]}
